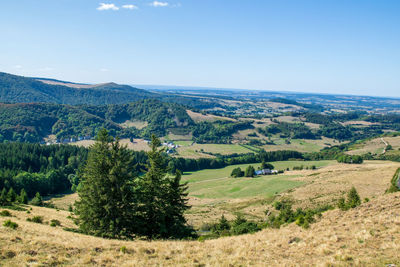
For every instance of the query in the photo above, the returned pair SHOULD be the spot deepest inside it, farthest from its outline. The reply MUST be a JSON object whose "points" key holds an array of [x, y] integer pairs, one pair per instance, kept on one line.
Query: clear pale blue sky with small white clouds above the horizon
{"points": [[341, 46]]}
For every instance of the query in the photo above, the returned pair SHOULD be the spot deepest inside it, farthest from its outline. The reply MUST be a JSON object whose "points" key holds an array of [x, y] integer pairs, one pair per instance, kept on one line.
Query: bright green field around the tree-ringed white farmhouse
{"points": [[217, 183]]}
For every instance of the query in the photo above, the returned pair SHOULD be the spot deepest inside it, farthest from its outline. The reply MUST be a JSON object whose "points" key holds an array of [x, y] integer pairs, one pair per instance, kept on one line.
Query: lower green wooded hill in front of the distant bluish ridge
{"points": [[32, 122]]}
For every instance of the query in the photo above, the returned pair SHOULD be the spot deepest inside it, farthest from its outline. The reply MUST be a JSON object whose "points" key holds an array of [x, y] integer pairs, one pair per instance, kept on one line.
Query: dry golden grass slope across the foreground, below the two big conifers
{"points": [[365, 236]]}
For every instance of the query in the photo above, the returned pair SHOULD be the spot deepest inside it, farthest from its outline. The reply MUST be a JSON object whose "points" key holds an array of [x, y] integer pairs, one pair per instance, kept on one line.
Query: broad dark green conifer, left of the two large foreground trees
{"points": [[107, 205]]}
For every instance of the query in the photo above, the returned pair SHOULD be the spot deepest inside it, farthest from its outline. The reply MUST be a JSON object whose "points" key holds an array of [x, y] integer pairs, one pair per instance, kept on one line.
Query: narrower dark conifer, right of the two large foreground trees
{"points": [[163, 198]]}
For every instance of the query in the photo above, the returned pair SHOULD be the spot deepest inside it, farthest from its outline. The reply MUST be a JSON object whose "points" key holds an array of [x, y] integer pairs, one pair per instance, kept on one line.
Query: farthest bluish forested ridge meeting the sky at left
{"points": [[18, 89]]}
